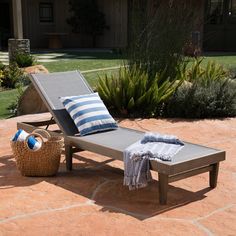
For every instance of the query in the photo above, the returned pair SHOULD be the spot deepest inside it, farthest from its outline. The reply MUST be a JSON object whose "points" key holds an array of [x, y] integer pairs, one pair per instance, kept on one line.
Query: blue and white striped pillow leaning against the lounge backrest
{"points": [[89, 113]]}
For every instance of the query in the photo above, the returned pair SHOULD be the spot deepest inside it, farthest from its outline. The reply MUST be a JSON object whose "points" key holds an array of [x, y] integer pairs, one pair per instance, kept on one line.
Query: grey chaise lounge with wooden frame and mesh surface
{"points": [[191, 160]]}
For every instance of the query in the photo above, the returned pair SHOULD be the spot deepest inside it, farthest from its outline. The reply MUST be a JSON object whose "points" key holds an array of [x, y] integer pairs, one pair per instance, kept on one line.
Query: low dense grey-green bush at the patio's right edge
{"points": [[216, 98]]}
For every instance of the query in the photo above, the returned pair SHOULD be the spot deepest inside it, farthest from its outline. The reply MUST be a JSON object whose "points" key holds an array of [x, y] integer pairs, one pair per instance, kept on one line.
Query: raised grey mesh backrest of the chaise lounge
{"points": [[54, 85]]}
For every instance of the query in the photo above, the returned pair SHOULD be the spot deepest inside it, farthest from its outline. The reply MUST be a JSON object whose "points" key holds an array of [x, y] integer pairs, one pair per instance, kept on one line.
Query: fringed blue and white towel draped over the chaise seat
{"points": [[152, 146]]}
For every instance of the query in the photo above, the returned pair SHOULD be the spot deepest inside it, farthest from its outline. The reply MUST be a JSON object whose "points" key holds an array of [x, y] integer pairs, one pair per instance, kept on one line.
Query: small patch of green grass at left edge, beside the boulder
{"points": [[7, 97]]}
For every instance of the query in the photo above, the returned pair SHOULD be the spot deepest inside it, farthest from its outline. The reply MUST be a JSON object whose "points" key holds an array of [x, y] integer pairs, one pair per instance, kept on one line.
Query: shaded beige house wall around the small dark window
{"points": [[114, 10]]}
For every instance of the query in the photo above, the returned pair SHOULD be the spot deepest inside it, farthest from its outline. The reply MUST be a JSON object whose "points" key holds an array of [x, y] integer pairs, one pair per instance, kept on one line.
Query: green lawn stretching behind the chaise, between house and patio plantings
{"points": [[89, 61]]}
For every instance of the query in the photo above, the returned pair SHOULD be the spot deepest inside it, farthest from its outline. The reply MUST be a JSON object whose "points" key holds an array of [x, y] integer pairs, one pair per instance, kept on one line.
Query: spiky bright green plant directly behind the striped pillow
{"points": [[132, 93]]}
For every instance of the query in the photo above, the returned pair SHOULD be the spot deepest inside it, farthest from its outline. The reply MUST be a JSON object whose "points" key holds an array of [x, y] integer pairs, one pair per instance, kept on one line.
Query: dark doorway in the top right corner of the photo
{"points": [[220, 25]]}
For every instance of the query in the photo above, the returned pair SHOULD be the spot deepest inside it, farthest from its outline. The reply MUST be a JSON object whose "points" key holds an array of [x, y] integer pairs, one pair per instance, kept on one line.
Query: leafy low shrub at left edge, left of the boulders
{"points": [[13, 75]]}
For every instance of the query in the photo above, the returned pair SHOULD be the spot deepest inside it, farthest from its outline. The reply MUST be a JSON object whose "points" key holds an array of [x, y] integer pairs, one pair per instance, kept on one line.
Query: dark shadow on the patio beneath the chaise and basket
{"points": [[101, 183]]}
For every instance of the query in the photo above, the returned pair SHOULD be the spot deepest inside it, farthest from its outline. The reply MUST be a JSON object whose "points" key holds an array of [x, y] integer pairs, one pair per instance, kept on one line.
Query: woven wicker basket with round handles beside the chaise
{"points": [[42, 162]]}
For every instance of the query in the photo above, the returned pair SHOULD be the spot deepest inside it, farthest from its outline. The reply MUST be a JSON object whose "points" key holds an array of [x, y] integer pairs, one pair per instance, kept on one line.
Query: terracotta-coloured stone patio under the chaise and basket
{"points": [[90, 200]]}
